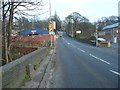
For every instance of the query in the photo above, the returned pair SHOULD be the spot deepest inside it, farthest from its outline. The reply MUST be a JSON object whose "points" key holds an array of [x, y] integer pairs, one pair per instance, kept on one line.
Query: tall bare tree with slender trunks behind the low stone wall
{"points": [[9, 9]]}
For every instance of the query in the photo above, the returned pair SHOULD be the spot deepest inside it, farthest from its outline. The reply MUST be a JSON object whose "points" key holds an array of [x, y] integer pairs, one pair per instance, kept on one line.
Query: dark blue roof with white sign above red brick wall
{"points": [[33, 31]]}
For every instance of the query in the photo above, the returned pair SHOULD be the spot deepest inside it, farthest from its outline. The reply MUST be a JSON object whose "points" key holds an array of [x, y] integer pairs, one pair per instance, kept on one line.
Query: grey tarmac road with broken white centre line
{"points": [[80, 65]]}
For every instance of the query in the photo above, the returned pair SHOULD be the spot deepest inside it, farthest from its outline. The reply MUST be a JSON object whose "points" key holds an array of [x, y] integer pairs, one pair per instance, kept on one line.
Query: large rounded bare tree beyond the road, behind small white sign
{"points": [[81, 23]]}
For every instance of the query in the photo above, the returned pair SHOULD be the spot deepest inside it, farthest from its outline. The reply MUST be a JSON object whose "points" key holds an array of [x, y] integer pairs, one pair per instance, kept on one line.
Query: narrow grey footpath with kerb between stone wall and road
{"points": [[42, 78]]}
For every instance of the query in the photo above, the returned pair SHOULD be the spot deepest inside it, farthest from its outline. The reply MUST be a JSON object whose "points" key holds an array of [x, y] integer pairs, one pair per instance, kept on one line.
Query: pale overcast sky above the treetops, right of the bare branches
{"points": [[92, 9]]}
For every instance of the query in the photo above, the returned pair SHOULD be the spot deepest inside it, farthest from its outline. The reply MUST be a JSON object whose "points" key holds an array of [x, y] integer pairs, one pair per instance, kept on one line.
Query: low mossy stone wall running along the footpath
{"points": [[14, 73]]}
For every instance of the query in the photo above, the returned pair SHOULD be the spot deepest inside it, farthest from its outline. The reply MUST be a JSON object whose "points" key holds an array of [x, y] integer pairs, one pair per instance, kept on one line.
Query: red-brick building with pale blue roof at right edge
{"points": [[111, 33]]}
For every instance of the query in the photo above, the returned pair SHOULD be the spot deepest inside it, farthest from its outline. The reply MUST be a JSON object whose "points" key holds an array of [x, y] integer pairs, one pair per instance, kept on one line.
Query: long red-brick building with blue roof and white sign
{"points": [[34, 36]]}
